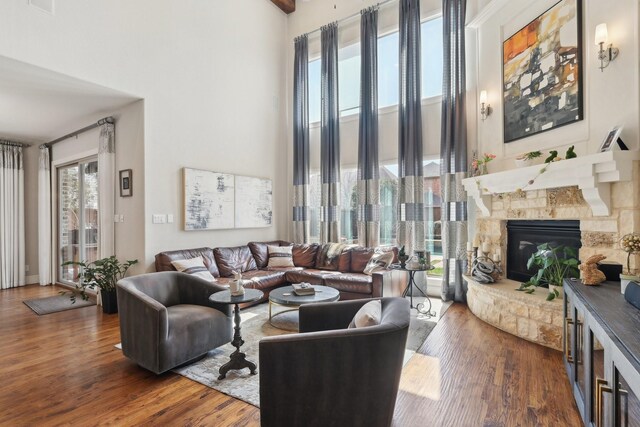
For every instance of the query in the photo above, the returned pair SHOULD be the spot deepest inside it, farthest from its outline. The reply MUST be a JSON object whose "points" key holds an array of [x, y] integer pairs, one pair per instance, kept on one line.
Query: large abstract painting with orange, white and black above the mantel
{"points": [[542, 73]]}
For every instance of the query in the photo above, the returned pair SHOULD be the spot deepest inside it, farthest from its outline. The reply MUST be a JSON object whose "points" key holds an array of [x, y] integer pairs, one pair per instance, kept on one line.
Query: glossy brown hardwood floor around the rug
{"points": [[62, 368]]}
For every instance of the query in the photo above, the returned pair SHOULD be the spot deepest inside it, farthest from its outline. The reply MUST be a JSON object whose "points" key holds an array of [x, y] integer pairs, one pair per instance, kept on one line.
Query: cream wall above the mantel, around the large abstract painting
{"points": [[610, 97]]}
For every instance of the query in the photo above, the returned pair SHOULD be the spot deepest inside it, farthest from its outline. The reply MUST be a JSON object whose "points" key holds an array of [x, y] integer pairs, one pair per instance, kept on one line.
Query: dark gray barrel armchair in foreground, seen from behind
{"points": [[329, 375]]}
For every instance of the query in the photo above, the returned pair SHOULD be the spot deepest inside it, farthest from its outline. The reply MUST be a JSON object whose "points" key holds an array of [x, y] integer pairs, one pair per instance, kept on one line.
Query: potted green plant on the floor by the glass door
{"points": [[102, 274]]}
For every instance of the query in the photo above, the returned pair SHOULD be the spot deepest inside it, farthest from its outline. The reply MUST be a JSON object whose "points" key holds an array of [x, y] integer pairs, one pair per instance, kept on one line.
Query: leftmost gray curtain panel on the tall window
{"points": [[301, 140]]}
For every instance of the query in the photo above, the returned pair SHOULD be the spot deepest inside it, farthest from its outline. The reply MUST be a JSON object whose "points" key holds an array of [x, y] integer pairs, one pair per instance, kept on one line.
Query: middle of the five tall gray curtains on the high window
{"points": [[368, 217]]}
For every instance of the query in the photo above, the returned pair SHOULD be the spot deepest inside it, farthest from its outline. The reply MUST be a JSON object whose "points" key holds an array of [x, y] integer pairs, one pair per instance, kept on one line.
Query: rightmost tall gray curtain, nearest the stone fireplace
{"points": [[453, 151]]}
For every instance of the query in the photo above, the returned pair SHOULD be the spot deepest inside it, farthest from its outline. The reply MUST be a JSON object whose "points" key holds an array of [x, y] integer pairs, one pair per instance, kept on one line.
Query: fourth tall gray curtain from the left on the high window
{"points": [[410, 191]]}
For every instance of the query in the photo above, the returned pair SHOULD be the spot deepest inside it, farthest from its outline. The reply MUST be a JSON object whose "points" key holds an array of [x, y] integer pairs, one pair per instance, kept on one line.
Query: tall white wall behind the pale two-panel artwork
{"points": [[211, 75]]}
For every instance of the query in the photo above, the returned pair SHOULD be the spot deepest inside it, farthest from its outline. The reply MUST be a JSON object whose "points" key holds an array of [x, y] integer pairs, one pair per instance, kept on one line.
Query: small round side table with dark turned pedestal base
{"points": [[238, 359]]}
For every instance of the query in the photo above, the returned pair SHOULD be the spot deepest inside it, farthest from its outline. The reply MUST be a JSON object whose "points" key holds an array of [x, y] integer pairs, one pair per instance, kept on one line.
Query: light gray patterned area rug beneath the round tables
{"points": [[254, 326]]}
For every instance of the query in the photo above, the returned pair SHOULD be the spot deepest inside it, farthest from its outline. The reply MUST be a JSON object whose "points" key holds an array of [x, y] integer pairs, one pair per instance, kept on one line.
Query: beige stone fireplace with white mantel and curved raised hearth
{"points": [[600, 192]]}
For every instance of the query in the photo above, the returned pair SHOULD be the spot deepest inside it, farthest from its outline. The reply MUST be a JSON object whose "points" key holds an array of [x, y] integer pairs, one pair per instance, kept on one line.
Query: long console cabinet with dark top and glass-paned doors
{"points": [[601, 344]]}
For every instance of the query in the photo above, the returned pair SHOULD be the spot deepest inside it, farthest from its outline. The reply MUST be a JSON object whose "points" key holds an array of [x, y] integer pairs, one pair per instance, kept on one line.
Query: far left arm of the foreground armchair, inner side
{"points": [[328, 316]]}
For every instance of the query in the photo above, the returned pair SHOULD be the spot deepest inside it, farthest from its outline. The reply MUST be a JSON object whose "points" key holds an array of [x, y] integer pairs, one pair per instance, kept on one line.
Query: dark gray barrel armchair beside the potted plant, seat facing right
{"points": [[166, 319]]}
